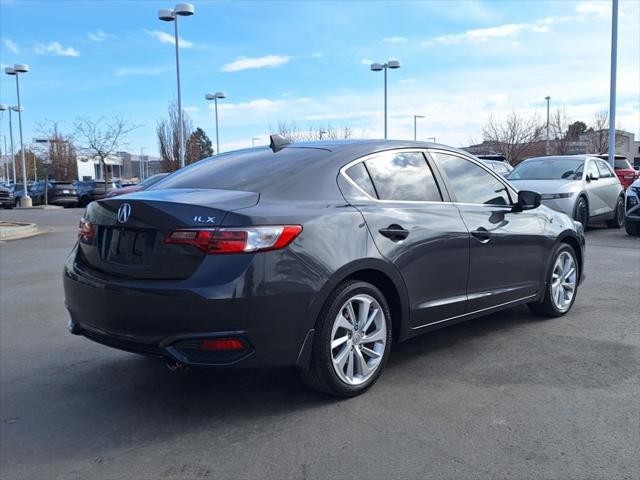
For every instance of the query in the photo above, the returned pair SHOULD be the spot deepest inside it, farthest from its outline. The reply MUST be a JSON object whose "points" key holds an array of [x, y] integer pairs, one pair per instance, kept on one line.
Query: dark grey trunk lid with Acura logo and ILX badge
{"points": [[129, 230]]}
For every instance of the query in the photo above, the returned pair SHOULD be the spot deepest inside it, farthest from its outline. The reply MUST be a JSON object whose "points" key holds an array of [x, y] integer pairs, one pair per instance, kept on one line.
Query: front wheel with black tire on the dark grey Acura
{"points": [[558, 283]]}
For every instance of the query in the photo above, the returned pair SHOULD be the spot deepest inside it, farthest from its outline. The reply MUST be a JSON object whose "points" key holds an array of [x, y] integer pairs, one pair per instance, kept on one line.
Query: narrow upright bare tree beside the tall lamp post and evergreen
{"points": [[168, 131]]}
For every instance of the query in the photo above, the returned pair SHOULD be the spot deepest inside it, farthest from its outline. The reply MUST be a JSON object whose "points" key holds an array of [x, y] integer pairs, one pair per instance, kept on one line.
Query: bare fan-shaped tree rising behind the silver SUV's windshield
{"points": [[517, 138]]}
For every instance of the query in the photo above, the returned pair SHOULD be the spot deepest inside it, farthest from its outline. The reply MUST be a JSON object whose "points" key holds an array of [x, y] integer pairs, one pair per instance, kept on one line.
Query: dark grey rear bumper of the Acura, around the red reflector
{"points": [[169, 319]]}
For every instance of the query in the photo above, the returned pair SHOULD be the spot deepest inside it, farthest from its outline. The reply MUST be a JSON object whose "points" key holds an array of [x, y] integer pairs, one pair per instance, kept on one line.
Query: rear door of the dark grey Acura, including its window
{"points": [[415, 226]]}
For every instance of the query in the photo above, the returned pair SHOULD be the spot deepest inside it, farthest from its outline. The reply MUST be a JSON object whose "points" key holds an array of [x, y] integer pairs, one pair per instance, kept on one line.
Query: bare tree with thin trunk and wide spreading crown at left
{"points": [[102, 138]]}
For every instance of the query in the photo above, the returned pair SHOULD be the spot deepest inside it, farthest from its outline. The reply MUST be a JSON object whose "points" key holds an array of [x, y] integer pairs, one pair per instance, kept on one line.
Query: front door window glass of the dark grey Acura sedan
{"points": [[471, 183]]}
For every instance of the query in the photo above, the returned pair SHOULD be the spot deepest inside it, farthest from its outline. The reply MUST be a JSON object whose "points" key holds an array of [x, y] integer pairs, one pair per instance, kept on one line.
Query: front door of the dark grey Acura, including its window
{"points": [[508, 252]]}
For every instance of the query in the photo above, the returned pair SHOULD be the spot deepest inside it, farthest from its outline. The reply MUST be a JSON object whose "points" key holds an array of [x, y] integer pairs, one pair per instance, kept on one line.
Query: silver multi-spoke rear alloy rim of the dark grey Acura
{"points": [[358, 339]]}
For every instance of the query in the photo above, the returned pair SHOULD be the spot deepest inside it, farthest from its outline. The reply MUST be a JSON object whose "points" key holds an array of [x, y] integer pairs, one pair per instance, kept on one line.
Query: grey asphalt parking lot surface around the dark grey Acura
{"points": [[505, 396]]}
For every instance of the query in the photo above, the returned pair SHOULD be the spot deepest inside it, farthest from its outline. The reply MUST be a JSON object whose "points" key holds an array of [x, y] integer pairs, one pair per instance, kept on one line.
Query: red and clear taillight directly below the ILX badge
{"points": [[236, 239]]}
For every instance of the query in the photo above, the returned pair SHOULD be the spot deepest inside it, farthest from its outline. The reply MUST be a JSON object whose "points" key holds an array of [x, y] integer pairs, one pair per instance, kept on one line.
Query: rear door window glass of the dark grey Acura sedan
{"points": [[404, 177]]}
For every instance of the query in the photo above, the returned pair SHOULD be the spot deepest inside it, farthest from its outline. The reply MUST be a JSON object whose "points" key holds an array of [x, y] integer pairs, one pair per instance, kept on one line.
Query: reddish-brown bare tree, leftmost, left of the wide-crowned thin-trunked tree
{"points": [[60, 152]]}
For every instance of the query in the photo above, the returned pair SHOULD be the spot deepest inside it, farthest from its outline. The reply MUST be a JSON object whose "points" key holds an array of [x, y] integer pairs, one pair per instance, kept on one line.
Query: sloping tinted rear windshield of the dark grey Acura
{"points": [[253, 170]]}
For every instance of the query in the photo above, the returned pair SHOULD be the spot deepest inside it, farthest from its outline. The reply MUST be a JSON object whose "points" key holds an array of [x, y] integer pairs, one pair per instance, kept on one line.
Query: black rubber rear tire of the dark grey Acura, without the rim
{"points": [[322, 340]]}
